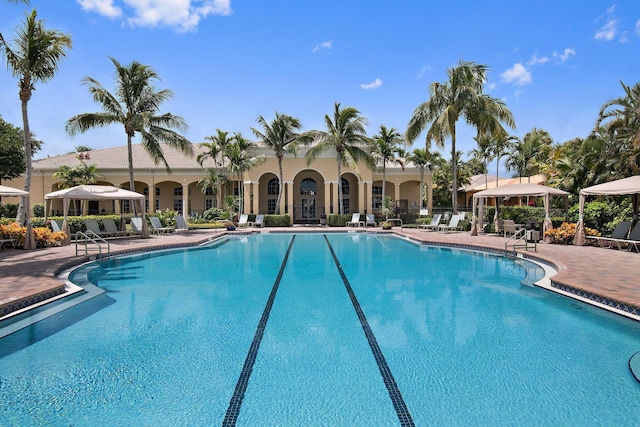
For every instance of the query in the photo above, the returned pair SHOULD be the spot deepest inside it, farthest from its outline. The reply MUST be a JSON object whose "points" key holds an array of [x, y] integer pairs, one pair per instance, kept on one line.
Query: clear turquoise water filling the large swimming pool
{"points": [[320, 330]]}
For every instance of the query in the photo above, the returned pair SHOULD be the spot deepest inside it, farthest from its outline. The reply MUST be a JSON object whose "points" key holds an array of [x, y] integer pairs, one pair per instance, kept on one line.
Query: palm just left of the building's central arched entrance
{"points": [[282, 137]]}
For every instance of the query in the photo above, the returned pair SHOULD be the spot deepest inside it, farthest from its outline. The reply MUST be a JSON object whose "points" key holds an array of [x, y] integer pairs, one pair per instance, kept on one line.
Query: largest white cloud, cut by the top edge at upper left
{"points": [[184, 15]]}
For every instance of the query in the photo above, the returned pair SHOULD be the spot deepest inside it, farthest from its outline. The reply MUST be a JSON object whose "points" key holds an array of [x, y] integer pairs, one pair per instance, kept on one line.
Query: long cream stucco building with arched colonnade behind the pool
{"points": [[310, 190]]}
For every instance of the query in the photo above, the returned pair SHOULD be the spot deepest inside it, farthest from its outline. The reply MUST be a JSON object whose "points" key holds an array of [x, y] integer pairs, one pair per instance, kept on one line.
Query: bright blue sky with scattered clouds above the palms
{"points": [[554, 63]]}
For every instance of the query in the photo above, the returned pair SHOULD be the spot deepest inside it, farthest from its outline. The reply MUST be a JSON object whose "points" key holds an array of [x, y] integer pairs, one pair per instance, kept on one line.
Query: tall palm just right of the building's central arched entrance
{"points": [[347, 136]]}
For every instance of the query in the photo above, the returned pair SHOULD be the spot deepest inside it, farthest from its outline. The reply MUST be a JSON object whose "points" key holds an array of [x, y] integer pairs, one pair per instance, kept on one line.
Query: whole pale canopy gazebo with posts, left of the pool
{"points": [[94, 192]]}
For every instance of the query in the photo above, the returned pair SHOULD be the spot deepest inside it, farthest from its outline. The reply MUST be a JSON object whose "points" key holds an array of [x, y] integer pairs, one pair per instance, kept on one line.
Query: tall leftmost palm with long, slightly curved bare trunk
{"points": [[33, 56]]}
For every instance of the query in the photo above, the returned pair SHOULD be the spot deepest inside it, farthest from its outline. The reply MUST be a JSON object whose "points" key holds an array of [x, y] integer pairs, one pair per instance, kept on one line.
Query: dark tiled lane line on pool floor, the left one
{"points": [[231, 417]]}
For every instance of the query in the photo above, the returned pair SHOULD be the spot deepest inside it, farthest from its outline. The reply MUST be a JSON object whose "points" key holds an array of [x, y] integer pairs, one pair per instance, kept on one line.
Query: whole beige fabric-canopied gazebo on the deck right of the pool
{"points": [[516, 190]]}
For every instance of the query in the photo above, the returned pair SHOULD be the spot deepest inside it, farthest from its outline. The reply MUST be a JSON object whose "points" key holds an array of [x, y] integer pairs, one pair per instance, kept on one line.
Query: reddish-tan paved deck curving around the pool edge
{"points": [[605, 277]]}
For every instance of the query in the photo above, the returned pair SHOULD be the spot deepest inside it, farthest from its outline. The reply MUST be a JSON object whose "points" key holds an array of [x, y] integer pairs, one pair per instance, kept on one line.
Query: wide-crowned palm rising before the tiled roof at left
{"points": [[134, 105]]}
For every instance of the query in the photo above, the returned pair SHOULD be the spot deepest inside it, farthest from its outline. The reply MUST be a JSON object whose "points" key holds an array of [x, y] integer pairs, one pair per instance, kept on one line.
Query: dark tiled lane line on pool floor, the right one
{"points": [[392, 387]]}
